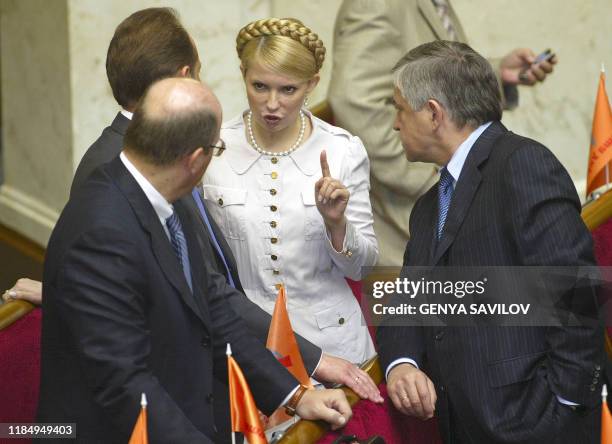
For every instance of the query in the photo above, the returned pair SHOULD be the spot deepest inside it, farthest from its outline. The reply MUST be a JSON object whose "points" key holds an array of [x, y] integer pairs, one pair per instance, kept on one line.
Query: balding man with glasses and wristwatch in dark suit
{"points": [[125, 311]]}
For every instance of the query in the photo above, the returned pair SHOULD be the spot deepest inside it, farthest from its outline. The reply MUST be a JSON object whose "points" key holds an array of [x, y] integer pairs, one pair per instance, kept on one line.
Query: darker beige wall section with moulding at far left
{"points": [[36, 119]]}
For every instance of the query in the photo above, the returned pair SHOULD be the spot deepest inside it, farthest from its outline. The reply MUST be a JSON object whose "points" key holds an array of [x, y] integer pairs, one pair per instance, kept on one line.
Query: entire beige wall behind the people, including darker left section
{"points": [[56, 100]]}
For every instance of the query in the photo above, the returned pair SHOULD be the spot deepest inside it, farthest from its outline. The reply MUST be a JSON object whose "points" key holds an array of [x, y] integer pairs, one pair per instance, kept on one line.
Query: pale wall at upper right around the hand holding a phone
{"points": [[559, 112]]}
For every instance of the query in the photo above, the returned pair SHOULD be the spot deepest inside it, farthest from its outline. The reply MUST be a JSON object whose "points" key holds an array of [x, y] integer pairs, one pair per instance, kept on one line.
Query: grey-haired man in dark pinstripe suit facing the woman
{"points": [[502, 200]]}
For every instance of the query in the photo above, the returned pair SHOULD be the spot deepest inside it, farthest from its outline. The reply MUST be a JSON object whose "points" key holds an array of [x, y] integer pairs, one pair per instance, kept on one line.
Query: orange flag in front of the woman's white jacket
{"points": [[283, 345]]}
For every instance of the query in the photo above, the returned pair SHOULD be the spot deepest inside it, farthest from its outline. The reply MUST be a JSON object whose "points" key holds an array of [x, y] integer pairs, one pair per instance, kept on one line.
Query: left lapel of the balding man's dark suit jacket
{"points": [[160, 244]]}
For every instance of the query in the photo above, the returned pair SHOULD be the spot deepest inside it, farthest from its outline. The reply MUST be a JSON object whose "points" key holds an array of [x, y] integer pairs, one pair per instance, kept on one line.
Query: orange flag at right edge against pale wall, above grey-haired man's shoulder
{"points": [[601, 140]]}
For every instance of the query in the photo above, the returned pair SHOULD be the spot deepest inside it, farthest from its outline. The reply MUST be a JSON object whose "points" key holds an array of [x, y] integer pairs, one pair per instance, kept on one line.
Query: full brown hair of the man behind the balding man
{"points": [[149, 45]]}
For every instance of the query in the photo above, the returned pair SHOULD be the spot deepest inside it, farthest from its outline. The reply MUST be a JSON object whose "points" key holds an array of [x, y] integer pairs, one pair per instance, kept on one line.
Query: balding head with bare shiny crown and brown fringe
{"points": [[175, 117]]}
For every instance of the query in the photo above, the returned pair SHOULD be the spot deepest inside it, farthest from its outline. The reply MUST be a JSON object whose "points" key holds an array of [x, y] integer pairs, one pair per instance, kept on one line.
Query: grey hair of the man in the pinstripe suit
{"points": [[456, 76]]}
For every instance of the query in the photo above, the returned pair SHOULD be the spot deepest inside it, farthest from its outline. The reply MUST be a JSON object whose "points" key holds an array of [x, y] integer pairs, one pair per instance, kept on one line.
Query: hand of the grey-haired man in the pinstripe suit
{"points": [[411, 391]]}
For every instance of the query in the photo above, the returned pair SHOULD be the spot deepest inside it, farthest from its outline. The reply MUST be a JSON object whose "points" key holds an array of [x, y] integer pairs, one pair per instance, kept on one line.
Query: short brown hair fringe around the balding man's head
{"points": [[162, 140]]}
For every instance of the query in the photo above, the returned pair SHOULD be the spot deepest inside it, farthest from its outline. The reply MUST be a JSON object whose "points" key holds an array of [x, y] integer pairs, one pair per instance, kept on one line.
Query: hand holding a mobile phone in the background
{"points": [[518, 68]]}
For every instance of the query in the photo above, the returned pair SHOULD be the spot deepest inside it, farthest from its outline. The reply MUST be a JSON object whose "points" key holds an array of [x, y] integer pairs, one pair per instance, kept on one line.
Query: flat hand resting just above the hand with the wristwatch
{"points": [[340, 371]]}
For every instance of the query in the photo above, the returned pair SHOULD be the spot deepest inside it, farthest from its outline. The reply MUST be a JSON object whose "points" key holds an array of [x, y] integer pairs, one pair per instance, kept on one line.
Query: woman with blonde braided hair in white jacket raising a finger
{"points": [[291, 193]]}
